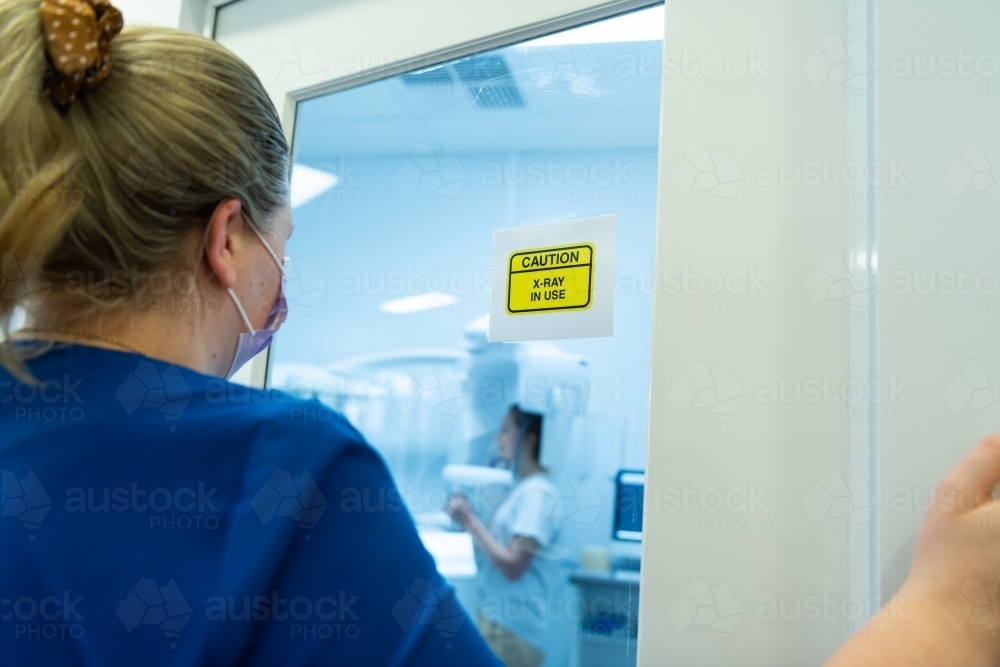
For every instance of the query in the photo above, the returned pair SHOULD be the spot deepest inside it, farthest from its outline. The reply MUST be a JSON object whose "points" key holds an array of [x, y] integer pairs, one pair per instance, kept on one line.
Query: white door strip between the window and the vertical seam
{"points": [[731, 434]]}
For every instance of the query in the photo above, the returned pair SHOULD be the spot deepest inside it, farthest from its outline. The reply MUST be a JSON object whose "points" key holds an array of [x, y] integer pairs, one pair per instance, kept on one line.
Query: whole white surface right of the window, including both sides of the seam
{"points": [[864, 151]]}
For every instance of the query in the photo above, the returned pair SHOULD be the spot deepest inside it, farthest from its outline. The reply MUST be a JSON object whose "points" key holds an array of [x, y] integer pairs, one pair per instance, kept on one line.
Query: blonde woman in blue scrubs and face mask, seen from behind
{"points": [[154, 513]]}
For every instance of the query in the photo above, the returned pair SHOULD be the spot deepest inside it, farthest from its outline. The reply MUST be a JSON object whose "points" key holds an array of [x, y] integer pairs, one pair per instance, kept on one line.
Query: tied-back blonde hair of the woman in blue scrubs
{"points": [[116, 180]]}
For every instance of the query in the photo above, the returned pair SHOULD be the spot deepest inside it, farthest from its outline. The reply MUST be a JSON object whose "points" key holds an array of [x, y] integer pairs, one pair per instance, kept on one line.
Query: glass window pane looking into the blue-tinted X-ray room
{"points": [[398, 187]]}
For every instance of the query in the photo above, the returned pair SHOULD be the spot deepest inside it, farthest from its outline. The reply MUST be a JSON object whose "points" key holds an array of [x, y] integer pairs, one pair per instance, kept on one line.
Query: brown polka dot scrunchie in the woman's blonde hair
{"points": [[78, 35]]}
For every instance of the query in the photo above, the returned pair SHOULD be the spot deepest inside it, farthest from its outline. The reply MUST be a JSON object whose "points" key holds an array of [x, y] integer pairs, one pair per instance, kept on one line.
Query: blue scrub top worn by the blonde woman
{"points": [[153, 515]]}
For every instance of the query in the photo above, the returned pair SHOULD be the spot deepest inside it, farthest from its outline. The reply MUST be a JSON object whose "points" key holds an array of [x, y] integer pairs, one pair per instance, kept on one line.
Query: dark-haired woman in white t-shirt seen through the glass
{"points": [[518, 576]]}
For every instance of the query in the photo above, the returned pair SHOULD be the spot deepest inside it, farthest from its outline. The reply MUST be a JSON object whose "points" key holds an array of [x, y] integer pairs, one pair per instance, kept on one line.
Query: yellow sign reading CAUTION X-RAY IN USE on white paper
{"points": [[551, 279]]}
